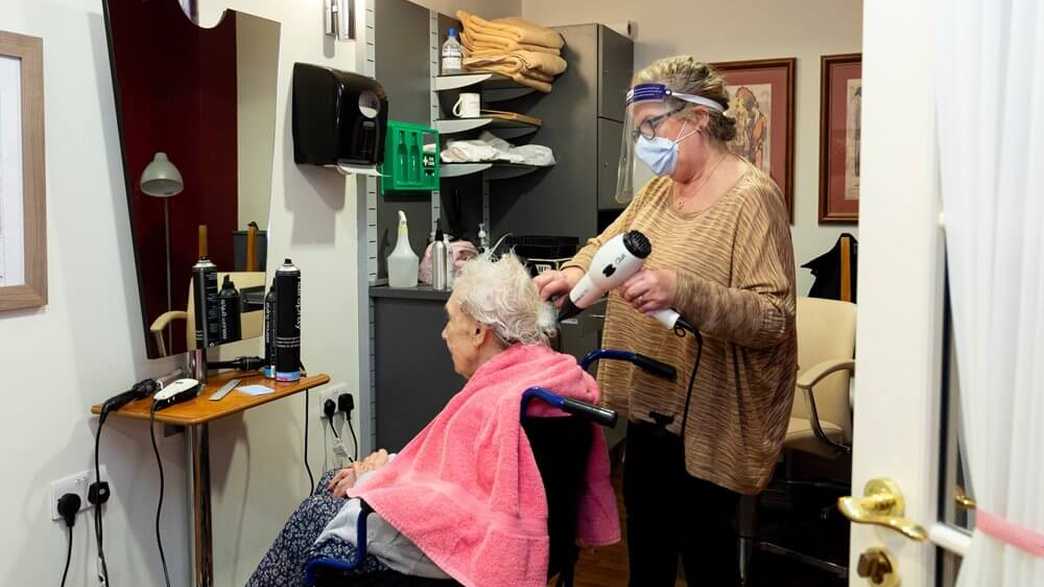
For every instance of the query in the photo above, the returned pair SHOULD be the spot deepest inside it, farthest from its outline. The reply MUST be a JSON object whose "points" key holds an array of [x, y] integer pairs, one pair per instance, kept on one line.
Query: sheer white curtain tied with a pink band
{"points": [[991, 137]]}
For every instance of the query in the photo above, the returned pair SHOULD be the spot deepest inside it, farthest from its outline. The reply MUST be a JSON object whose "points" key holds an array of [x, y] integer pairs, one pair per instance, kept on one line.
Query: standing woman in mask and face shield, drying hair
{"points": [[722, 257]]}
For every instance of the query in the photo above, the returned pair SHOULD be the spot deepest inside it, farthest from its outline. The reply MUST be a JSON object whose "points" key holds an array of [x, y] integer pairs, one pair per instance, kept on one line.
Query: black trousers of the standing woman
{"points": [[672, 513]]}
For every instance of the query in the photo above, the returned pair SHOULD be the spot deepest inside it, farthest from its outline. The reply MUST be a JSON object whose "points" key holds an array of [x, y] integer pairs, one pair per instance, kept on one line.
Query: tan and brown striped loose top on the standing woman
{"points": [[737, 285]]}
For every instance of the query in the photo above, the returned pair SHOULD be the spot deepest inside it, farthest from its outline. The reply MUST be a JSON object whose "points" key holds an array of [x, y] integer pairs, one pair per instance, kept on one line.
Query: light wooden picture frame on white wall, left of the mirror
{"points": [[23, 224]]}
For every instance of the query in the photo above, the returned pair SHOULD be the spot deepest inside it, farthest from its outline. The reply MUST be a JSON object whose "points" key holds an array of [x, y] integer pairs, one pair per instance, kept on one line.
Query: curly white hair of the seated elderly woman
{"points": [[502, 296]]}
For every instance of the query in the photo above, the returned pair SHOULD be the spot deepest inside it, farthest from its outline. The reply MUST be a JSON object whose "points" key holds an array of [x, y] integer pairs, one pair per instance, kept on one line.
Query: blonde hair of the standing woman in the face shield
{"points": [[686, 76]]}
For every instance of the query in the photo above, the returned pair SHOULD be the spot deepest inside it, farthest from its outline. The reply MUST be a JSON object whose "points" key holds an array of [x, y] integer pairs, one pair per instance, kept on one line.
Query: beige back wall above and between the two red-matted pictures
{"points": [[746, 30]]}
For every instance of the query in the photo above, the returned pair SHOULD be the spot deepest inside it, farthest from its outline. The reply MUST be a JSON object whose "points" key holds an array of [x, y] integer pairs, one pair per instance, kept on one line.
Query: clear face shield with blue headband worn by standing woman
{"points": [[649, 106]]}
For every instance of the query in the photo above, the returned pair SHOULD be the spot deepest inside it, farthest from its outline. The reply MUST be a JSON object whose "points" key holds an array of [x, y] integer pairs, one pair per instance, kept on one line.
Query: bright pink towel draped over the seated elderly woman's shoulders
{"points": [[467, 490]]}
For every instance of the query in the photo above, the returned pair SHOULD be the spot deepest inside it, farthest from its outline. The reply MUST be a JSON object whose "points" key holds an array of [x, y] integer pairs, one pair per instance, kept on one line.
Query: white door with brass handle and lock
{"points": [[899, 420]]}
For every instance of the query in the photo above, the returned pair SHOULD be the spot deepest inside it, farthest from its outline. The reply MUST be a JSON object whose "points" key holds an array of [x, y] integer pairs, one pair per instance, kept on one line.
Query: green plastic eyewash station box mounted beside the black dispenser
{"points": [[408, 167]]}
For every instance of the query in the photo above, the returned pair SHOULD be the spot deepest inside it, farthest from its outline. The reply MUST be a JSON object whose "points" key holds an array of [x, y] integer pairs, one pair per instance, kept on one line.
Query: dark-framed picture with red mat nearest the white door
{"points": [[841, 130]]}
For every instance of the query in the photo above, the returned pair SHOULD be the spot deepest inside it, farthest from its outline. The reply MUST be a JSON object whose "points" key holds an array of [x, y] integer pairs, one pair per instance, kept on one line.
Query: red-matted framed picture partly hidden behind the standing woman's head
{"points": [[762, 102]]}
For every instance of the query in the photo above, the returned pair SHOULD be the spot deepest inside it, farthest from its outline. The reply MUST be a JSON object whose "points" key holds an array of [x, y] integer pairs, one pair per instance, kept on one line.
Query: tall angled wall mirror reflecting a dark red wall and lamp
{"points": [[197, 112]]}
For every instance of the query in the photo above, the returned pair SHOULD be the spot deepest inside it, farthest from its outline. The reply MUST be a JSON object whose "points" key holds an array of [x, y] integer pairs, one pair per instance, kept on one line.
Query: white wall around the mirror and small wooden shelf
{"points": [[88, 343]]}
